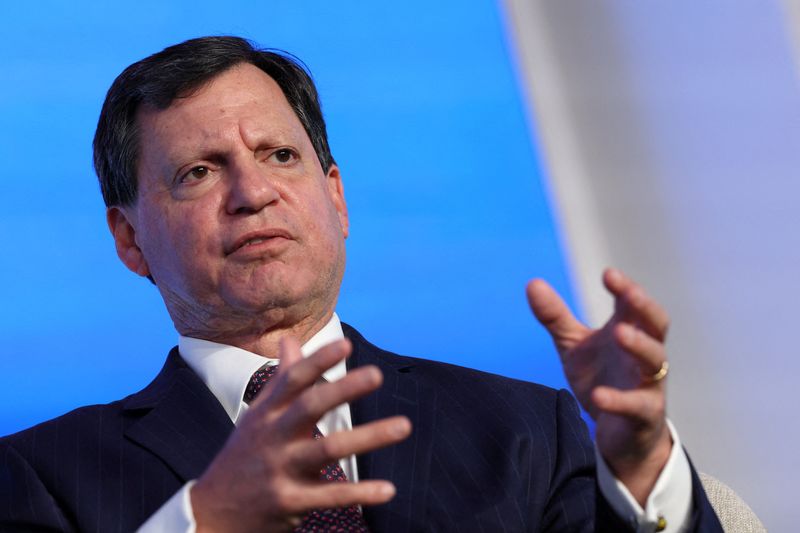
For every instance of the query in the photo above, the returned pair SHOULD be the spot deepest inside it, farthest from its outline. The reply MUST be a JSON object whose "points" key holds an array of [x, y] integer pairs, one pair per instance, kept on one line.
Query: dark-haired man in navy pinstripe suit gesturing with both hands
{"points": [[220, 186]]}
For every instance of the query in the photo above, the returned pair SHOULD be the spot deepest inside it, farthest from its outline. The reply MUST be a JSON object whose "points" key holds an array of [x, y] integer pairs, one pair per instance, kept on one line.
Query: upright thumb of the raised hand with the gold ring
{"points": [[554, 315]]}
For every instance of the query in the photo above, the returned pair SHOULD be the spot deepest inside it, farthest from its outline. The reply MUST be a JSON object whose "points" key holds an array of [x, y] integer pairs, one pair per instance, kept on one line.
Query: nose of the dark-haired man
{"points": [[251, 189]]}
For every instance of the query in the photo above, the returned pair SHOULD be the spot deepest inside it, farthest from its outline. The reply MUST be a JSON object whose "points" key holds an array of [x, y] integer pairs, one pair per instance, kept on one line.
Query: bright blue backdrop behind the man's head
{"points": [[449, 213]]}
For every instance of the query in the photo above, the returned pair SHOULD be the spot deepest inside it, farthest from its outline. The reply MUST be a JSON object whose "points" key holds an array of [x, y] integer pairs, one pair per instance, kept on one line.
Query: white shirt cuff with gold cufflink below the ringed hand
{"points": [[670, 499]]}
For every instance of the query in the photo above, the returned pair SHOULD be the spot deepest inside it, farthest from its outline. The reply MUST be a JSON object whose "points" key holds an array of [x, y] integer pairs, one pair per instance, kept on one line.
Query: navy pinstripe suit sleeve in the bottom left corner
{"points": [[25, 503]]}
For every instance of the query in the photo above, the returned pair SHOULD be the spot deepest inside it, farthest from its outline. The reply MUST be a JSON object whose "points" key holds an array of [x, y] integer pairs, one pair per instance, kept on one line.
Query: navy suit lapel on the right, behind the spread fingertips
{"points": [[406, 464]]}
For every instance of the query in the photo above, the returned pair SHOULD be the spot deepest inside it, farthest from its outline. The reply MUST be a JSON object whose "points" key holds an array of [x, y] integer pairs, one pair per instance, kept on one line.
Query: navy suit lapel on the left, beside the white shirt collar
{"points": [[181, 421]]}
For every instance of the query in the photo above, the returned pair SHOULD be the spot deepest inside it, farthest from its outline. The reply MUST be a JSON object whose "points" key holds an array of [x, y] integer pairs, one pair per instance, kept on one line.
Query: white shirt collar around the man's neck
{"points": [[226, 370]]}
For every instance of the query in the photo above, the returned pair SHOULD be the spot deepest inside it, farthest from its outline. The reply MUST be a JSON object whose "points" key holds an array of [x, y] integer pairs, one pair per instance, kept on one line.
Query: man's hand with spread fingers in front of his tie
{"points": [[267, 475]]}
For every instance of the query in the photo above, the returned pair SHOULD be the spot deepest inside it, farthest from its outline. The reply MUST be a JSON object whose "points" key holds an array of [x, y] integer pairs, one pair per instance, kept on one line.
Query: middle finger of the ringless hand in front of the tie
{"points": [[306, 410]]}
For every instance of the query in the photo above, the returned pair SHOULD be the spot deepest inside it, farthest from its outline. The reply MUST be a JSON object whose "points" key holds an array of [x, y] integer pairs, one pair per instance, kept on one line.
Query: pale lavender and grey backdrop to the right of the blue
{"points": [[671, 131]]}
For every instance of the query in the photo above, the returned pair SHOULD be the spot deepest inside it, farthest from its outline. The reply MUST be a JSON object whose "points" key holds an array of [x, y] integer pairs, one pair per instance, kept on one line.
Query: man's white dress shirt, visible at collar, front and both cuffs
{"points": [[226, 371]]}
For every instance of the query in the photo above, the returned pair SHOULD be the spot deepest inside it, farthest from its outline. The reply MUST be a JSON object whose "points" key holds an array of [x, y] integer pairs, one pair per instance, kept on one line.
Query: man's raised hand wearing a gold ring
{"points": [[616, 372]]}
